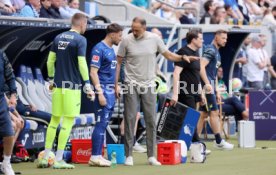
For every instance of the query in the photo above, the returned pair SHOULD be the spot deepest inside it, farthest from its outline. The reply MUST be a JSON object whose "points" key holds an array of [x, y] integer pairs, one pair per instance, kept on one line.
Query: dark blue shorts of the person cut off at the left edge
{"points": [[6, 128]]}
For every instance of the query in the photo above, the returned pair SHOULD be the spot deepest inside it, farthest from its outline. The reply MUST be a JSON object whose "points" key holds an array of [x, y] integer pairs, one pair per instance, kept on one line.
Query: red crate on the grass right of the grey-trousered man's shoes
{"points": [[169, 153]]}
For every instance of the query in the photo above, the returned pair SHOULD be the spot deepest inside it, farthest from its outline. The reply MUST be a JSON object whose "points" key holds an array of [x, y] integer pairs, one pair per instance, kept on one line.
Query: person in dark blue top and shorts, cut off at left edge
{"points": [[6, 129]]}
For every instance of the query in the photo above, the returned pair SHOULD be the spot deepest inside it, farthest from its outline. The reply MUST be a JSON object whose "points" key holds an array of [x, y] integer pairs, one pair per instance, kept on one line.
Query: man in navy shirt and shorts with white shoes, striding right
{"points": [[209, 66]]}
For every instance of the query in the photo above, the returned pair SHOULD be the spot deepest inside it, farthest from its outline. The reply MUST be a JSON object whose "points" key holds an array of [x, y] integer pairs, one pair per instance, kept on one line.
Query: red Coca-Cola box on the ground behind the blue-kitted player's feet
{"points": [[81, 150]]}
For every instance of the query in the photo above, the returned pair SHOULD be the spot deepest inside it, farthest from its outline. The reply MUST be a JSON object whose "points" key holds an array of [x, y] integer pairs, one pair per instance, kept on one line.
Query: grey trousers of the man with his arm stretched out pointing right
{"points": [[133, 96]]}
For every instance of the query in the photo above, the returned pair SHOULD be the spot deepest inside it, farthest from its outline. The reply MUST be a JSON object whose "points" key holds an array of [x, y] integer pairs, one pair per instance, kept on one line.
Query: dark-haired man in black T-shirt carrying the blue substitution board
{"points": [[186, 77]]}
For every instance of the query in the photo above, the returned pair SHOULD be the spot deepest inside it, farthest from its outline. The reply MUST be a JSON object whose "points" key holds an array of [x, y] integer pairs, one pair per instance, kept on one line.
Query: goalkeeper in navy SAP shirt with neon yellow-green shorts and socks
{"points": [[67, 68]]}
